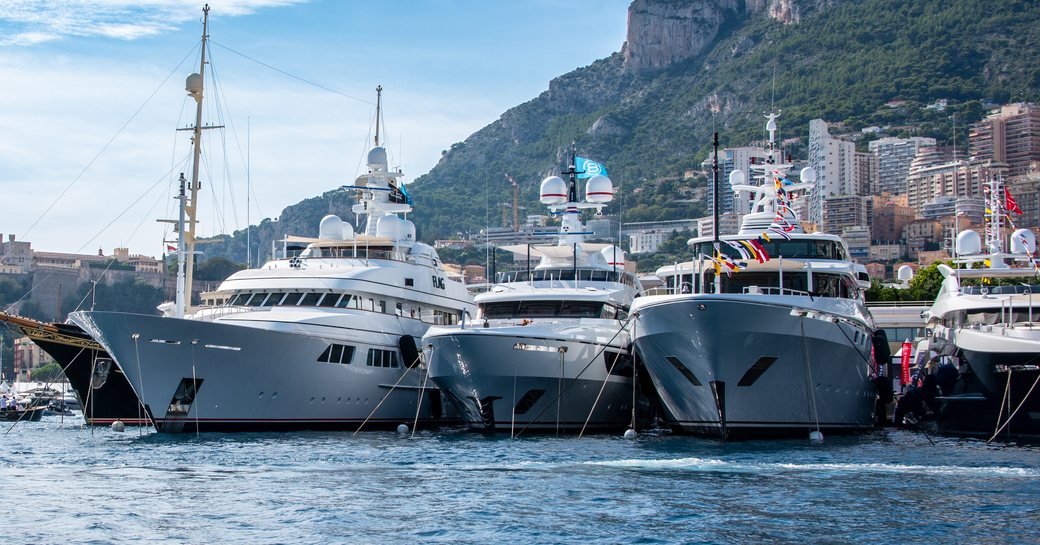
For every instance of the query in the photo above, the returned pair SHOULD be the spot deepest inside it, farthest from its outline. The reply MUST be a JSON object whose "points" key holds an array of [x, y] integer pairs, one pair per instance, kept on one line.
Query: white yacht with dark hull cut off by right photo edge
{"points": [[984, 329]]}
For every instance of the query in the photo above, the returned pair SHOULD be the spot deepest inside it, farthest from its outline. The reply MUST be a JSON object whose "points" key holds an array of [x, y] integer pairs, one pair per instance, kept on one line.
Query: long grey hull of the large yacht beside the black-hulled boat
{"points": [[214, 377]]}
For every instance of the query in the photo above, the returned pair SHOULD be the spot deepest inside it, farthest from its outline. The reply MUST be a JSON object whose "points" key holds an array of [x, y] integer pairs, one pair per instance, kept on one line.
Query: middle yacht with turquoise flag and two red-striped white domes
{"points": [[550, 349]]}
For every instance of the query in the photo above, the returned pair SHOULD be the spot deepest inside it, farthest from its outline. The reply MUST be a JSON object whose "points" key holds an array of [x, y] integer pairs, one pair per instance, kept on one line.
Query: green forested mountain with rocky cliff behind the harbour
{"points": [[646, 112]]}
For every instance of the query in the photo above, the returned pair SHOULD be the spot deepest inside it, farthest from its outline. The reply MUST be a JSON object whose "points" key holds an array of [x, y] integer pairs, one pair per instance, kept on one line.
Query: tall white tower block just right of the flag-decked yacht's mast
{"points": [[834, 160]]}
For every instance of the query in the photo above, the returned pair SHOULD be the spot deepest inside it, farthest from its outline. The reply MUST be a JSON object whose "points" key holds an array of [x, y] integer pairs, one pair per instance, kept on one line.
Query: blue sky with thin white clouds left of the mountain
{"points": [[92, 94]]}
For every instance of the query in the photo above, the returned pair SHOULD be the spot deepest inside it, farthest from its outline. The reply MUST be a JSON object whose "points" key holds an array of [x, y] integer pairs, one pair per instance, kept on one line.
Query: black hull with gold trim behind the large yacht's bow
{"points": [[111, 399]]}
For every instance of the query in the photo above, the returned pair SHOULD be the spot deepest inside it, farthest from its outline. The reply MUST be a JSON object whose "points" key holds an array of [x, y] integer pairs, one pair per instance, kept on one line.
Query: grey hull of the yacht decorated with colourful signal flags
{"points": [[732, 367]]}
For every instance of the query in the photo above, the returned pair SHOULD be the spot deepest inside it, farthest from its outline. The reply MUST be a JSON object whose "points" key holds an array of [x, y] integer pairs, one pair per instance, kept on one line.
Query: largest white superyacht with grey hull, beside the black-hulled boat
{"points": [[324, 341]]}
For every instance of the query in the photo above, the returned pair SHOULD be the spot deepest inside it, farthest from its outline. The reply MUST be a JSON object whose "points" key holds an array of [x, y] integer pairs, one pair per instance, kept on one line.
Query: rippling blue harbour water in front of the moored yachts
{"points": [[67, 484]]}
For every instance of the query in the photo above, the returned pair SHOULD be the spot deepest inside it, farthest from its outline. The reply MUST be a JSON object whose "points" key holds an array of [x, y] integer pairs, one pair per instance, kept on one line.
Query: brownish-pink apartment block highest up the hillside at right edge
{"points": [[1010, 136]]}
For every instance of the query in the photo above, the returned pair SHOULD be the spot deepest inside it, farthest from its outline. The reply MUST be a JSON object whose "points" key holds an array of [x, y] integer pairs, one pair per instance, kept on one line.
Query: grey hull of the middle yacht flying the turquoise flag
{"points": [[549, 378]]}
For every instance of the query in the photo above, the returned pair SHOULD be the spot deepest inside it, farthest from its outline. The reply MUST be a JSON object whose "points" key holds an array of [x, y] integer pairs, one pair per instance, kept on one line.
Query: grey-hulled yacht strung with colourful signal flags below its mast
{"points": [[767, 333]]}
